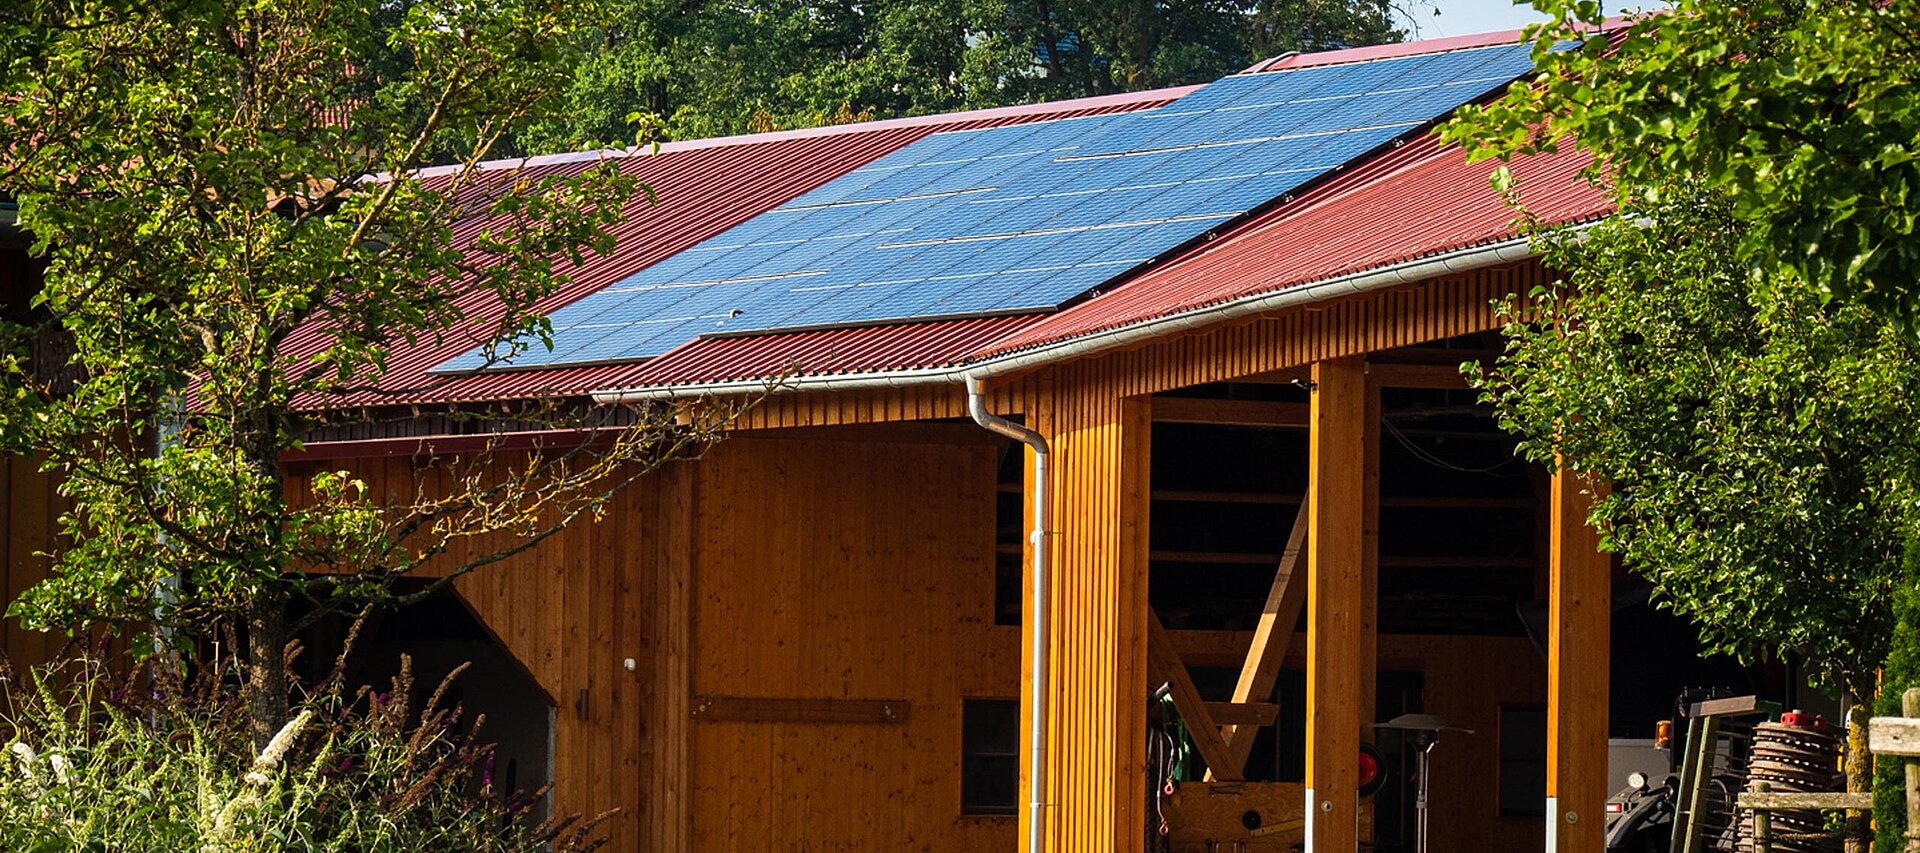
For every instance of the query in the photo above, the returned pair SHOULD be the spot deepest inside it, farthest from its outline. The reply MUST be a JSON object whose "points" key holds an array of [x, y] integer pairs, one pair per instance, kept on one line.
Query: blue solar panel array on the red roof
{"points": [[1019, 218]]}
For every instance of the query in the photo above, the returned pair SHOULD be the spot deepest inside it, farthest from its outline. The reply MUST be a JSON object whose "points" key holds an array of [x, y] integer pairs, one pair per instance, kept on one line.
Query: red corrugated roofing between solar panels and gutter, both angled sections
{"points": [[1408, 205]]}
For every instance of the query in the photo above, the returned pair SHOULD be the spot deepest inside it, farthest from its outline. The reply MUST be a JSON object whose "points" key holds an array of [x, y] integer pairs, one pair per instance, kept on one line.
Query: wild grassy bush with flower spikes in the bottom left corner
{"points": [[153, 762]]}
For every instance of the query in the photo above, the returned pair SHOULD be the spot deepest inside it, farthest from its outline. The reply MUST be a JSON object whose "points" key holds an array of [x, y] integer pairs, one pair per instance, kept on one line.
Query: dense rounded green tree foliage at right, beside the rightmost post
{"points": [[1758, 439]]}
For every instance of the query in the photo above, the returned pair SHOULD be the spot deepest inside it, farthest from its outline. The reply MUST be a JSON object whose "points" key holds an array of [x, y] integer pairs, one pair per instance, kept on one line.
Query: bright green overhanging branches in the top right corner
{"points": [[1800, 114]]}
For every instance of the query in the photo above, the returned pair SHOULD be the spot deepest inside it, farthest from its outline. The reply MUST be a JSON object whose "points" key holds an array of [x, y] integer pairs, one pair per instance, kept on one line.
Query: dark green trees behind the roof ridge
{"points": [[706, 70]]}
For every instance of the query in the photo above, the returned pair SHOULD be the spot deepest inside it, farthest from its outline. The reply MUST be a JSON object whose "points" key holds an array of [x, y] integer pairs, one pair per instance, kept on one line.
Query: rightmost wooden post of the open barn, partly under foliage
{"points": [[1581, 602]]}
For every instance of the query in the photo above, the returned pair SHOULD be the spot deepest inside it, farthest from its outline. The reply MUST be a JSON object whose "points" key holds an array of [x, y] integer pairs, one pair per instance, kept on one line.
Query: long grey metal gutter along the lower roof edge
{"points": [[1113, 339]]}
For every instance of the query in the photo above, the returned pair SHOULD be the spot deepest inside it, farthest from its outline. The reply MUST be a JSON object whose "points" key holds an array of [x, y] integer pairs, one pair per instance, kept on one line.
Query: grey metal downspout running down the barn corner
{"points": [[976, 402]]}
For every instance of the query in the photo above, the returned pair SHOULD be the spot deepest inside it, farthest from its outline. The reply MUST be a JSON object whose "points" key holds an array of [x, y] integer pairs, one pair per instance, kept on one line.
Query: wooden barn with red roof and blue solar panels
{"points": [[1195, 460]]}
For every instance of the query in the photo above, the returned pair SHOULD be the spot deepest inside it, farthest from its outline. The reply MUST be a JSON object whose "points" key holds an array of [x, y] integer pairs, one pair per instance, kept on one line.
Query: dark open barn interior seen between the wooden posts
{"points": [[1460, 608]]}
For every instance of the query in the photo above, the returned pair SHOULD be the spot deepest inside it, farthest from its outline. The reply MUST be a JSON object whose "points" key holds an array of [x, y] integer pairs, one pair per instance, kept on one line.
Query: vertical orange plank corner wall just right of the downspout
{"points": [[1097, 714]]}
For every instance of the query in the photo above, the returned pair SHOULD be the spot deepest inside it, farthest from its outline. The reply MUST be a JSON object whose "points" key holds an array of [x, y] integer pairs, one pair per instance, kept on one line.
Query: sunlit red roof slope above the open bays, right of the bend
{"points": [[1408, 205]]}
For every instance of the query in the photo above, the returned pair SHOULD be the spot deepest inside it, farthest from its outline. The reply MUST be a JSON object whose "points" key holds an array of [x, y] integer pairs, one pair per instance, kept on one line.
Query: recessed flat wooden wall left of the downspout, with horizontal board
{"points": [[846, 572]]}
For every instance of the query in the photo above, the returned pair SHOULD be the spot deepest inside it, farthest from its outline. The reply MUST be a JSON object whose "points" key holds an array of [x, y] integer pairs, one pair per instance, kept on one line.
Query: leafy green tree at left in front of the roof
{"points": [[208, 180]]}
